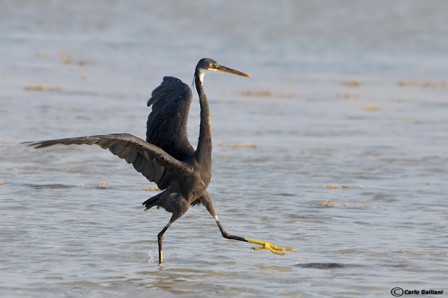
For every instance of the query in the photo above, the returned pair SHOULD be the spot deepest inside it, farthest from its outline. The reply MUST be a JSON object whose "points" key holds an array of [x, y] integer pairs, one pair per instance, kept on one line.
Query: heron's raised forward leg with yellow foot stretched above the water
{"points": [[208, 203]]}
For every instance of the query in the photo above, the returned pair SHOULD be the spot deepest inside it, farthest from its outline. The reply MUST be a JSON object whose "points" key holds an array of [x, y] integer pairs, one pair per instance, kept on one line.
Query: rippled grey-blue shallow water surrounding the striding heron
{"points": [[336, 147]]}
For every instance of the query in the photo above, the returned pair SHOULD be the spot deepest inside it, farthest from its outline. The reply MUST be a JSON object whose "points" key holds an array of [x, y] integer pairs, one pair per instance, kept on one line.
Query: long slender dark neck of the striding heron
{"points": [[204, 150]]}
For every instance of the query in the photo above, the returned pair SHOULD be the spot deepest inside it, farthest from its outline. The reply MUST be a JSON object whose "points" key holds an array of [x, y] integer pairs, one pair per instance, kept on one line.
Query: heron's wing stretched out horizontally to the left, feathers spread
{"points": [[154, 163]]}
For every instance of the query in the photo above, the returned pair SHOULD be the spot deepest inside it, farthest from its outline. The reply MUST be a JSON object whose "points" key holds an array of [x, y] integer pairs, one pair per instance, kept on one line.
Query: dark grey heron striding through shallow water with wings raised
{"points": [[166, 157]]}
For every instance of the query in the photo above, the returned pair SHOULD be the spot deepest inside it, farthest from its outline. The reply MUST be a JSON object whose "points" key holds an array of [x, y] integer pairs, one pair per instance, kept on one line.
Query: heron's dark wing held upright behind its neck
{"points": [[167, 122]]}
